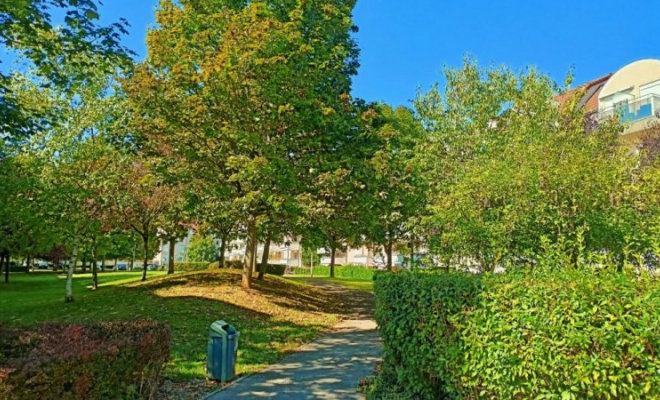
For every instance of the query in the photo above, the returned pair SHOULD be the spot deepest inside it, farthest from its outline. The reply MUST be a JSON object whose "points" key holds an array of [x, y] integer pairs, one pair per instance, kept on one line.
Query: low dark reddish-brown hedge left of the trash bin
{"points": [[120, 360]]}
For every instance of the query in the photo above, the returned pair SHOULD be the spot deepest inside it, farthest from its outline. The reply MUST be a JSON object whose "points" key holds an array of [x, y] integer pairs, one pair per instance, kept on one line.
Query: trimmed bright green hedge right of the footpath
{"points": [[571, 334]]}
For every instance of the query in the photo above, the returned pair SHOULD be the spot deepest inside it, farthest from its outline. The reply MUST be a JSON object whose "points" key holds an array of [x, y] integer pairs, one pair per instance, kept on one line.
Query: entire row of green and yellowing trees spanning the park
{"points": [[240, 123]]}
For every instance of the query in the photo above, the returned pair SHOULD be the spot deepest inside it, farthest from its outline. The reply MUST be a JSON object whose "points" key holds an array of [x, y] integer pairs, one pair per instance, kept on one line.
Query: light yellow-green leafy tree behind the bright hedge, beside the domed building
{"points": [[492, 197]]}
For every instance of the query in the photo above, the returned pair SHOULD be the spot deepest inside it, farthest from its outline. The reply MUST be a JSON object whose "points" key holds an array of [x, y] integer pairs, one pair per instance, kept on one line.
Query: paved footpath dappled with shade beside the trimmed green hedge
{"points": [[329, 368]]}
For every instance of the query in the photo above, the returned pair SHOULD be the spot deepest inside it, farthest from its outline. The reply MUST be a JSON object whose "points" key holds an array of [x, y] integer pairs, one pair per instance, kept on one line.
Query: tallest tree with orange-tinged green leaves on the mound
{"points": [[245, 94]]}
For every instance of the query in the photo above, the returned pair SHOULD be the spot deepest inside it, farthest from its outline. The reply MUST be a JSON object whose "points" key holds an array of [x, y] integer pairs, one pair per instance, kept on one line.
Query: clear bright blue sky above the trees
{"points": [[406, 44]]}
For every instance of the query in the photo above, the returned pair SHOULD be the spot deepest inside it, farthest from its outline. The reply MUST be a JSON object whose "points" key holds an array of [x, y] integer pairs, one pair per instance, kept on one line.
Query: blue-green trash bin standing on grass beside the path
{"points": [[221, 351]]}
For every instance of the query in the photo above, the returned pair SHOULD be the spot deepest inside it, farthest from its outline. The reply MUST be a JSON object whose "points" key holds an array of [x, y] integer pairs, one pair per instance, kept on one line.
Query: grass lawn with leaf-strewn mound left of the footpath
{"points": [[275, 318]]}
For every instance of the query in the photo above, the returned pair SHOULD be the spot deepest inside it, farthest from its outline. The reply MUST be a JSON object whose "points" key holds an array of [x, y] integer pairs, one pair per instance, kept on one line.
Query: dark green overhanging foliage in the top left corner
{"points": [[60, 56]]}
